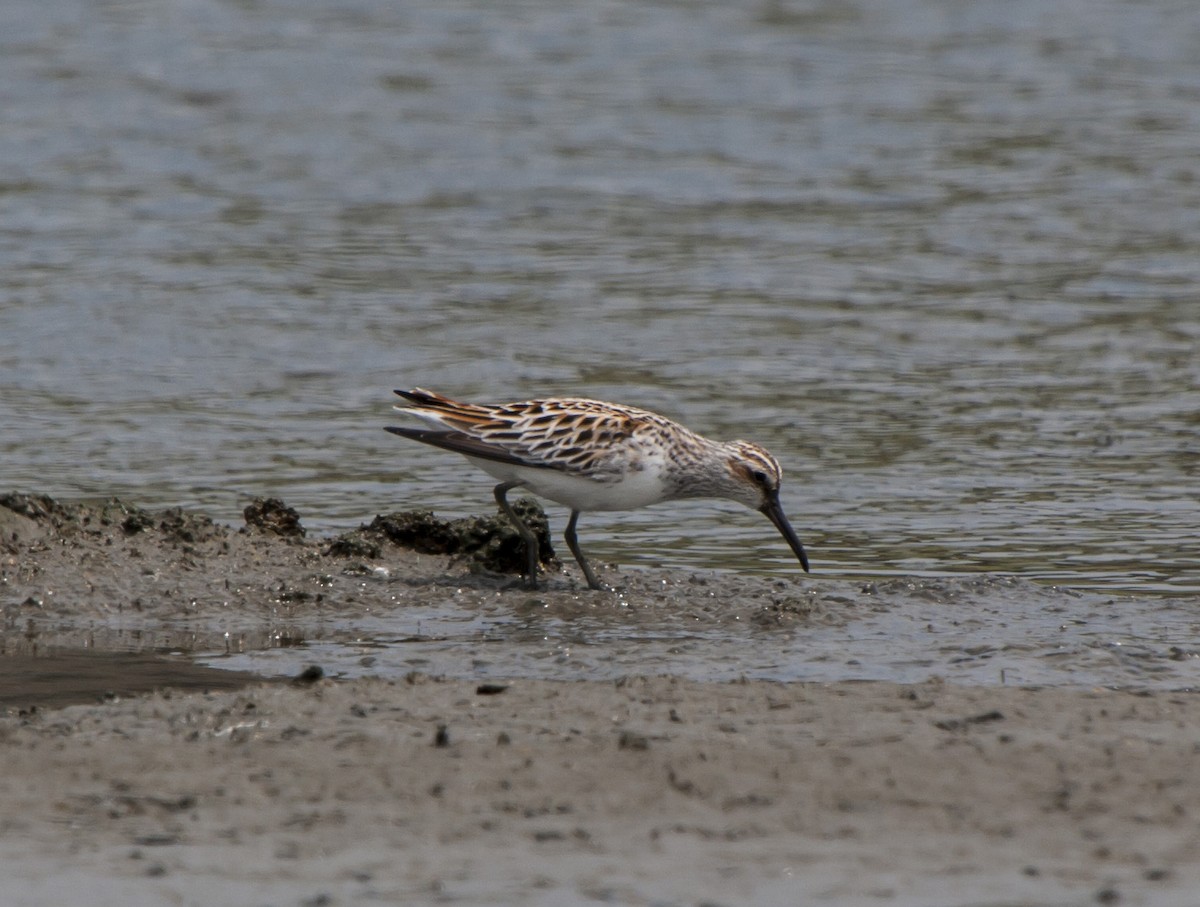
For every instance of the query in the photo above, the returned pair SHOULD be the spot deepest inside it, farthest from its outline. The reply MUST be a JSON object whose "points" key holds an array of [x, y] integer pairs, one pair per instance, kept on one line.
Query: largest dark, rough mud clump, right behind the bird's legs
{"points": [[489, 543]]}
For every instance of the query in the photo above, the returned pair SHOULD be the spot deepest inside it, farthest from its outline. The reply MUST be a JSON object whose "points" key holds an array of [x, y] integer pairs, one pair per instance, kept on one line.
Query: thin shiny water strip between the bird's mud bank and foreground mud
{"points": [[993, 632]]}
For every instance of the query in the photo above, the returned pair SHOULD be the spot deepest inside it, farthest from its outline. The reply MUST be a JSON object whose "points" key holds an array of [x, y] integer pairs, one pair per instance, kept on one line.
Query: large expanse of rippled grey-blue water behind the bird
{"points": [[941, 260]]}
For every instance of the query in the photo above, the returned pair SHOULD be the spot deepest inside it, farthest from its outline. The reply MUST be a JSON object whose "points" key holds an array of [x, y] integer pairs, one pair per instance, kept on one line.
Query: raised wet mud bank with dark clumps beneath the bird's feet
{"points": [[117, 578]]}
